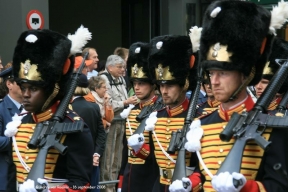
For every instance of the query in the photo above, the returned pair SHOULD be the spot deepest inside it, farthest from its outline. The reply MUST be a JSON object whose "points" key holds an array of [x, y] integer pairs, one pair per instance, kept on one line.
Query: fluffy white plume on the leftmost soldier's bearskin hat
{"points": [[79, 39]]}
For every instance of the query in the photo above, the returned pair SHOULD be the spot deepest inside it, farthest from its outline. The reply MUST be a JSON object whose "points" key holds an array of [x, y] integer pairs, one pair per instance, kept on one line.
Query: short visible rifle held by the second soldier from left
{"points": [[145, 112]]}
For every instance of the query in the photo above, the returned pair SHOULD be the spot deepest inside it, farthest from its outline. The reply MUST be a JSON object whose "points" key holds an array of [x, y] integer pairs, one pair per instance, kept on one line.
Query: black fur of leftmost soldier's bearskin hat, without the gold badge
{"points": [[49, 52]]}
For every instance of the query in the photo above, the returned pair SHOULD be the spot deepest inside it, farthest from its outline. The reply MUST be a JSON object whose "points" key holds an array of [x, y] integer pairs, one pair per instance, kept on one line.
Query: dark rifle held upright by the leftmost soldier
{"points": [[48, 134]]}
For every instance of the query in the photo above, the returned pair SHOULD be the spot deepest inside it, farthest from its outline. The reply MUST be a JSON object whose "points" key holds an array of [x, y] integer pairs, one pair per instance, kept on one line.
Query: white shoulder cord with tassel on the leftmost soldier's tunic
{"points": [[11, 130]]}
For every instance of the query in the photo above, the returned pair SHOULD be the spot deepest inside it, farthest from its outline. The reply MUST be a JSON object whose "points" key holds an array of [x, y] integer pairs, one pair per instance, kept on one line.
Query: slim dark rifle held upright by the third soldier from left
{"points": [[178, 139]]}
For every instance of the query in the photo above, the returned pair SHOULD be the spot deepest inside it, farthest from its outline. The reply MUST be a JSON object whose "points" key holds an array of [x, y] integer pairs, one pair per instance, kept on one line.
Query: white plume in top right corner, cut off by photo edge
{"points": [[279, 15]]}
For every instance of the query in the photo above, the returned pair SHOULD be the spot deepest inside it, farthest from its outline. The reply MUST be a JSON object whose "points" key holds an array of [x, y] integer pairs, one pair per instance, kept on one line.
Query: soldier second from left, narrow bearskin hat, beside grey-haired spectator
{"points": [[136, 169]]}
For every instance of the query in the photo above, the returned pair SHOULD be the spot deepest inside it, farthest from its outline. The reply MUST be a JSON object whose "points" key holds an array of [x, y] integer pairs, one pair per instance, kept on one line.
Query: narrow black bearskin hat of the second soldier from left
{"points": [[137, 62]]}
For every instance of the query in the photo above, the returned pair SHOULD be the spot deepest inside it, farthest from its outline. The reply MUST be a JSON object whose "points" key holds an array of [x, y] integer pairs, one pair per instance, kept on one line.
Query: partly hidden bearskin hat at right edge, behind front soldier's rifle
{"points": [[279, 51]]}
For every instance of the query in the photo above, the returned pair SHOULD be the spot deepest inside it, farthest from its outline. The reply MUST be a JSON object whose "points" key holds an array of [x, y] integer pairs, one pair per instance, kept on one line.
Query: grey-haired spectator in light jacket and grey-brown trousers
{"points": [[118, 95]]}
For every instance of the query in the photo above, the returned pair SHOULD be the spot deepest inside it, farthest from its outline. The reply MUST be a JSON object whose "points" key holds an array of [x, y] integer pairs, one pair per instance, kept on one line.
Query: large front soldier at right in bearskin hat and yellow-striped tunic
{"points": [[234, 56]]}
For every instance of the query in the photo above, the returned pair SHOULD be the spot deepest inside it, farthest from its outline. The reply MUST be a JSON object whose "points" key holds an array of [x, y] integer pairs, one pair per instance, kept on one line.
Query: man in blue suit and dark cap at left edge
{"points": [[10, 105]]}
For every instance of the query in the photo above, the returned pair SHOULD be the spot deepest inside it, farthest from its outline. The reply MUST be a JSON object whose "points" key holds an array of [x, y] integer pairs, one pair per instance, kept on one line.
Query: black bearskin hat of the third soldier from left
{"points": [[170, 58]]}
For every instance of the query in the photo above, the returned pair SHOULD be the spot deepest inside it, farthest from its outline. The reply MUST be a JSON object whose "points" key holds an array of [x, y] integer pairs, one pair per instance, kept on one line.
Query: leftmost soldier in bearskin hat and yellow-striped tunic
{"points": [[42, 67]]}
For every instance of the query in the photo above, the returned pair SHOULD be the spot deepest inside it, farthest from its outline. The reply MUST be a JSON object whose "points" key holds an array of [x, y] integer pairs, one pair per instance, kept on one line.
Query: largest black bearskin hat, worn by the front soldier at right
{"points": [[235, 37]]}
